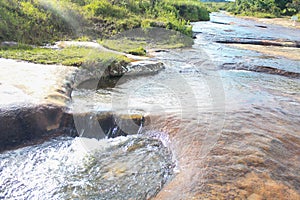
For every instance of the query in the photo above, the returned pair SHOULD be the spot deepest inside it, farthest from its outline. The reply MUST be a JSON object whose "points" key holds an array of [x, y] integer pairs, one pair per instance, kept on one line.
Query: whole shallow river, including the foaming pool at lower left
{"points": [[220, 122]]}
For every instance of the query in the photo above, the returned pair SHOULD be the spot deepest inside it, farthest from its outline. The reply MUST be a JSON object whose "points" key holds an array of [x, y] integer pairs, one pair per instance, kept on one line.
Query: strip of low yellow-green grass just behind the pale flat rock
{"points": [[71, 56]]}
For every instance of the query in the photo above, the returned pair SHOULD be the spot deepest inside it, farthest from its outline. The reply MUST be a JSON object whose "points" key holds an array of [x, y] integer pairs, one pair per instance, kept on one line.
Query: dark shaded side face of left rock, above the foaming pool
{"points": [[25, 124]]}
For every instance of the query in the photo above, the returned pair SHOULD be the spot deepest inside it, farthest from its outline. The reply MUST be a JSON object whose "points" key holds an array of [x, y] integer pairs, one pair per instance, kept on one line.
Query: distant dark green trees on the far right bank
{"points": [[265, 8]]}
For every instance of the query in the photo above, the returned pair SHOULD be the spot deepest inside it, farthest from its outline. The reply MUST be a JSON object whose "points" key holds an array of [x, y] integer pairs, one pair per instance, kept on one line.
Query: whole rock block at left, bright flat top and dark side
{"points": [[33, 102]]}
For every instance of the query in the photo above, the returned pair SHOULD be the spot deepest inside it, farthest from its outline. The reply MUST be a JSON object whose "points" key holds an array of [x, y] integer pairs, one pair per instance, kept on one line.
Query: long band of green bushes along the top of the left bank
{"points": [[43, 21]]}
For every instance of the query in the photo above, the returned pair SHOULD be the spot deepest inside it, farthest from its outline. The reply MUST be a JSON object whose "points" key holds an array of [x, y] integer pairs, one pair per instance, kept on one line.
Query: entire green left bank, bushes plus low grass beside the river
{"points": [[114, 23]]}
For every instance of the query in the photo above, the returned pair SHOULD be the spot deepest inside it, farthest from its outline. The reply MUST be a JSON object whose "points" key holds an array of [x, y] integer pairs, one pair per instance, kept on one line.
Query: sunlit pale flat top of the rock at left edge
{"points": [[25, 83]]}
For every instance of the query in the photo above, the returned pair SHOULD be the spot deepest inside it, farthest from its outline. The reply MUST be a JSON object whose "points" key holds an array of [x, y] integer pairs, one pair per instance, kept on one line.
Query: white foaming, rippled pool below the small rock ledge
{"points": [[81, 168]]}
